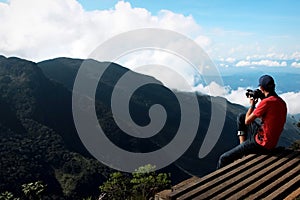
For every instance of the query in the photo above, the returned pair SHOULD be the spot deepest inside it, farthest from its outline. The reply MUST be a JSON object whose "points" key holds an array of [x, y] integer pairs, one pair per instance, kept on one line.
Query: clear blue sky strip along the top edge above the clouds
{"points": [[276, 17]]}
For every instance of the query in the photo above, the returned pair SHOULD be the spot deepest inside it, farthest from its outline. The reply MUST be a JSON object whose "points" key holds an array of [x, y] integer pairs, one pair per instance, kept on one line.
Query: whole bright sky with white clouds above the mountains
{"points": [[234, 34]]}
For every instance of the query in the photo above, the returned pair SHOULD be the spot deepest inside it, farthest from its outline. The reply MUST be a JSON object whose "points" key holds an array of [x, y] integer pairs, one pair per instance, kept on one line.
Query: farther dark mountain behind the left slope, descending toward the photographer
{"points": [[189, 162]]}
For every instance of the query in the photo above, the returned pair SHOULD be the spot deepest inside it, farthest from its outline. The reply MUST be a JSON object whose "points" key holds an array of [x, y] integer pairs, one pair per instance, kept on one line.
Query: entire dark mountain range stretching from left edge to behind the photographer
{"points": [[39, 140]]}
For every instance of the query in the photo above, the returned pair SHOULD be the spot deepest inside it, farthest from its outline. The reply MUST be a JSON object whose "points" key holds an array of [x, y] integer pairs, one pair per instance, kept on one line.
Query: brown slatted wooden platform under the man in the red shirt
{"points": [[272, 176]]}
